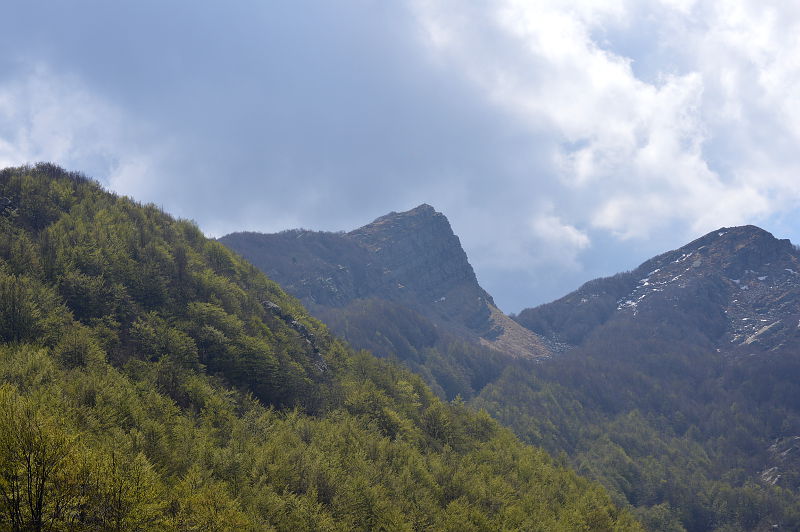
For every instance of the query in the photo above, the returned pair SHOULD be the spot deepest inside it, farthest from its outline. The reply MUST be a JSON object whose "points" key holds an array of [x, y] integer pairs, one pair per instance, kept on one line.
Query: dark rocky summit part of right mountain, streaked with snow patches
{"points": [[737, 287]]}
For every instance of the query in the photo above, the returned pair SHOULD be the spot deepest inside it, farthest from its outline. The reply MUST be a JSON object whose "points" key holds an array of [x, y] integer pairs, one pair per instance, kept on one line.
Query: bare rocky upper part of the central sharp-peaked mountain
{"points": [[410, 258]]}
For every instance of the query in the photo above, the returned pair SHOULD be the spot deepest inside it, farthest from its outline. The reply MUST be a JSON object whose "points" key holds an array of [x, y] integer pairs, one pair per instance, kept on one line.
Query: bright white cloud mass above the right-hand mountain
{"points": [[710, 140]]}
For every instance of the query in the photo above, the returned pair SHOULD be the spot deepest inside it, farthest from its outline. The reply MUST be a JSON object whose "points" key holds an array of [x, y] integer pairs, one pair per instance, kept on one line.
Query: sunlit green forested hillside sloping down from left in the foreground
{"points": [[150, 379]]}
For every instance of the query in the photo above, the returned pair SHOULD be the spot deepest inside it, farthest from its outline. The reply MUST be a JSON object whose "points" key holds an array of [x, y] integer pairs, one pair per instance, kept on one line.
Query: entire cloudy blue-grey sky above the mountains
{"points": [[564, 140]]}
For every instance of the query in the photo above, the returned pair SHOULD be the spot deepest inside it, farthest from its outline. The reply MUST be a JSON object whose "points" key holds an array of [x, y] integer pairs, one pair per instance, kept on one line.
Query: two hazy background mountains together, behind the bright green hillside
{"points": [[675, 384]]}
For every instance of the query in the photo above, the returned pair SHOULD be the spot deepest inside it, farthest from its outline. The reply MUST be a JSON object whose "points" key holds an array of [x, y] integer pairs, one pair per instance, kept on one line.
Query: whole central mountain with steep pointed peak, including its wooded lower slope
{"points": [[406, 276]]}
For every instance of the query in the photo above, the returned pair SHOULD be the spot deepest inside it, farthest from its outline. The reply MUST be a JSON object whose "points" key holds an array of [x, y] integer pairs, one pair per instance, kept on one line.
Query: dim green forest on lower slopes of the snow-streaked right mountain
{"points": [[669, 427]]}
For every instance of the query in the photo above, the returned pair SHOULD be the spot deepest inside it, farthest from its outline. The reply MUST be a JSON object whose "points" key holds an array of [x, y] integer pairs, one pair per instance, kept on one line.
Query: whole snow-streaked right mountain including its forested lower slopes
{"points": [[677, 384]]}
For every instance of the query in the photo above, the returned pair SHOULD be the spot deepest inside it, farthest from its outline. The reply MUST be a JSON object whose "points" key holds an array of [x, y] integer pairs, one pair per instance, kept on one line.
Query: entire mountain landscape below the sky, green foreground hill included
{"points": [[152, 379]]}
